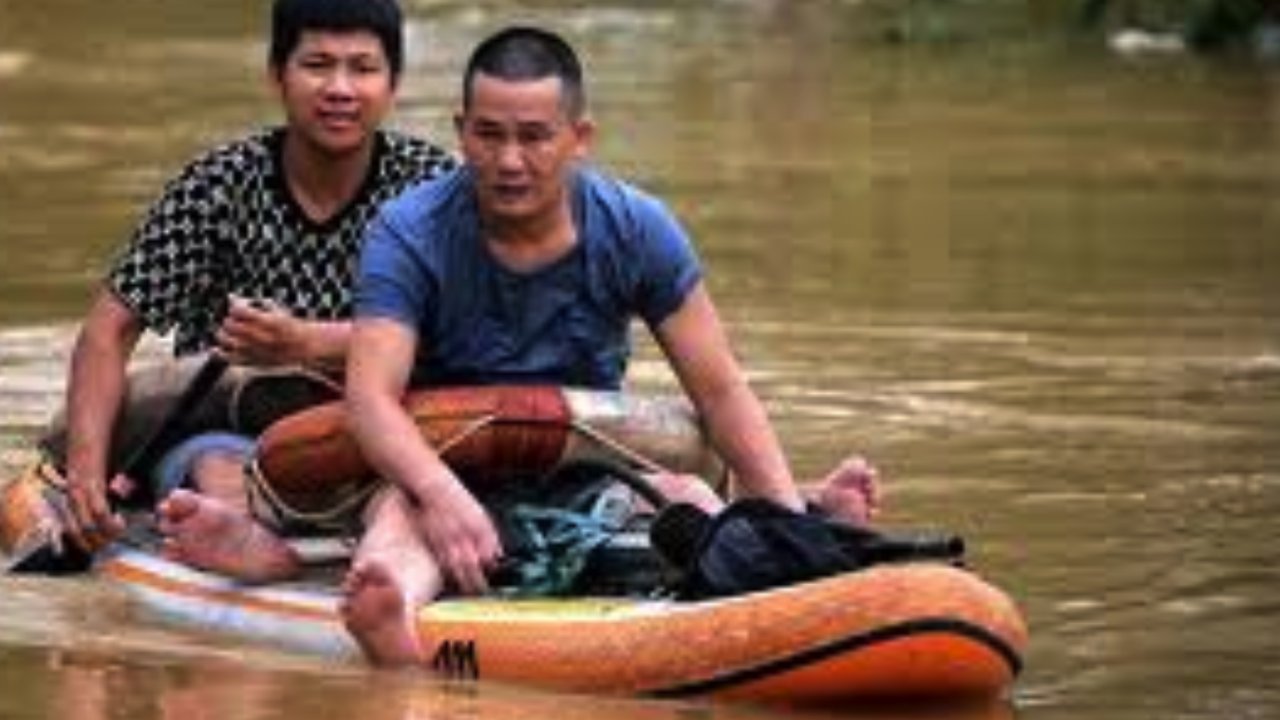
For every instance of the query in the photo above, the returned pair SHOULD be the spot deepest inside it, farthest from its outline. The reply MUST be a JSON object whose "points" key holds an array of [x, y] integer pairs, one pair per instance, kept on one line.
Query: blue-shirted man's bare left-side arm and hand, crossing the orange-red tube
{"points": [[456, 528]]}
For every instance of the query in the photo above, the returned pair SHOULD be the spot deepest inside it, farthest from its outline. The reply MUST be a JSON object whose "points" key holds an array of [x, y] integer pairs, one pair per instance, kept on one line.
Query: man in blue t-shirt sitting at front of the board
{"points": [[522, 267]]}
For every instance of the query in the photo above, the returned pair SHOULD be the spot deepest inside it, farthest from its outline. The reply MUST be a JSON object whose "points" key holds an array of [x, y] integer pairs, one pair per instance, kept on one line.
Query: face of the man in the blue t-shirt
{"points": [[522, 144]]}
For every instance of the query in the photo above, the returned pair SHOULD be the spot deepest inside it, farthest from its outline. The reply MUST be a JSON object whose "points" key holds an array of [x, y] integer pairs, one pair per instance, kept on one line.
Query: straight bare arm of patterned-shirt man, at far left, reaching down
{"points": [[95, 393]]}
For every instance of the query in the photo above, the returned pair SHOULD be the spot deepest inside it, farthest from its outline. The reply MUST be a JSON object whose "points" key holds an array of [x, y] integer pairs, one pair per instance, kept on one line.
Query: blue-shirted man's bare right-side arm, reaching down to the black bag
{"points": [[696, 344]]}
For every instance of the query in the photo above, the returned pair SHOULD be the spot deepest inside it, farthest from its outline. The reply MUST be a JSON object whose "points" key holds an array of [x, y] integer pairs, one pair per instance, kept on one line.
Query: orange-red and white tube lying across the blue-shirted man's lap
{"points": [[488, 436]]}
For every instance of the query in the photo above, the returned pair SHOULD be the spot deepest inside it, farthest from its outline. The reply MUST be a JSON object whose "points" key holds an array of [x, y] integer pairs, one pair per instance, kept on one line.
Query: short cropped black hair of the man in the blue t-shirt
{"points": [[529, 53]]}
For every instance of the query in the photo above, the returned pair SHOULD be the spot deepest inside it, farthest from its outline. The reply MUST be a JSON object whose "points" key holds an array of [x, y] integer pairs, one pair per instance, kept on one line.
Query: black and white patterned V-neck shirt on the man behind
{"points": [[228, 225]]}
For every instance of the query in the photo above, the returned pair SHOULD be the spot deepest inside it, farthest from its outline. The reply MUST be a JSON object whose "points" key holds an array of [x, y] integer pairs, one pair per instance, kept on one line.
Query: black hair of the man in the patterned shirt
{"points": [[291, 19]]}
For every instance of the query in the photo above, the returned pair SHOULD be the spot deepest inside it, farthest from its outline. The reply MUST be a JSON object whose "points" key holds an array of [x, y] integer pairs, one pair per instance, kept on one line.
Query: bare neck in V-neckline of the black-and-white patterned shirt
{"points": [[323, 184]]}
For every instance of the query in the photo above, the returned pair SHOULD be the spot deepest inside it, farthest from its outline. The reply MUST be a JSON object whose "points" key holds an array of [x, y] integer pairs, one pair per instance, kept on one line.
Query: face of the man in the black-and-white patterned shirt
{"points": [[336, 88]]}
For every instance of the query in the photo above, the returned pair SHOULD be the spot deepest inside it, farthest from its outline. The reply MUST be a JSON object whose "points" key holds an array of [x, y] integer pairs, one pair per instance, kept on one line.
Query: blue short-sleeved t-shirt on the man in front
{"points": [[478, 322]]}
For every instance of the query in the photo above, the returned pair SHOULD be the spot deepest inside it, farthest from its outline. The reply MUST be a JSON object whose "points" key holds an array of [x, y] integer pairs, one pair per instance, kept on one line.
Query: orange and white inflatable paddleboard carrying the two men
{"points": [[911, 631]]}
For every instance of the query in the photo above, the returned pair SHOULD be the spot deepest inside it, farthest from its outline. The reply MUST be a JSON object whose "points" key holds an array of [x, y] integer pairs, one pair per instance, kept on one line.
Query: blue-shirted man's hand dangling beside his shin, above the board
{"points": [[460, 535]]}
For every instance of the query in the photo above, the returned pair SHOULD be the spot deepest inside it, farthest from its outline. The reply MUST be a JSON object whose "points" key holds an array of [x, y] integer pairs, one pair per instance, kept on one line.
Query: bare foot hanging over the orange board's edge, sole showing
{"points": [[378, 616]]}
